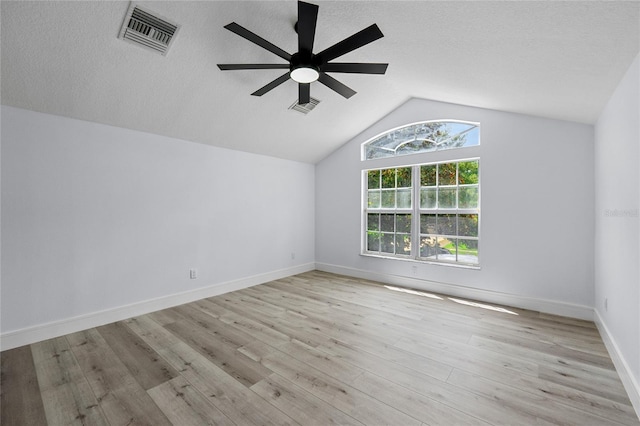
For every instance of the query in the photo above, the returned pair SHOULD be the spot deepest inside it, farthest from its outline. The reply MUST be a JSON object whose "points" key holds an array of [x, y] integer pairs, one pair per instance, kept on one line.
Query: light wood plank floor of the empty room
{"points": [[320, 349]]}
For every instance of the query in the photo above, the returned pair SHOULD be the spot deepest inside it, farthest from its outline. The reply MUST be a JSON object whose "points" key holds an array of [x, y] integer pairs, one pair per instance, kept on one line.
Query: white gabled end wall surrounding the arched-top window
{"points": [[536, 246]]}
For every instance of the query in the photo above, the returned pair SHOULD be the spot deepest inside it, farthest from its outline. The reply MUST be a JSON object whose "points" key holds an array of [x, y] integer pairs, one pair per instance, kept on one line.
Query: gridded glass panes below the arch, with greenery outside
{"points": [[448, 185]]}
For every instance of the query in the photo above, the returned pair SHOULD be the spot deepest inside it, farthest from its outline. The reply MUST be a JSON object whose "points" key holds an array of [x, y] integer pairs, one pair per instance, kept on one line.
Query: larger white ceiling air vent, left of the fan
{"points": [[148, 30]]}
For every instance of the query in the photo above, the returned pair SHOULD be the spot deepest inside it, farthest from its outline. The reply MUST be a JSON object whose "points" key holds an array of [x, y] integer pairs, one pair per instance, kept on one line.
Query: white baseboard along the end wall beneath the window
{"points": [[523, 302]]}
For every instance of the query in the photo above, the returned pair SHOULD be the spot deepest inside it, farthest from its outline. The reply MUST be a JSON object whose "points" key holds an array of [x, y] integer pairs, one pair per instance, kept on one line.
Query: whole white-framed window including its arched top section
{"points": [[428, 212]]}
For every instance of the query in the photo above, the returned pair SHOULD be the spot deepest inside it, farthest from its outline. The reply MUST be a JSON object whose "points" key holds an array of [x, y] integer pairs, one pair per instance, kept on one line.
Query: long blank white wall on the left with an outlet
{"points": [[96, 218]]}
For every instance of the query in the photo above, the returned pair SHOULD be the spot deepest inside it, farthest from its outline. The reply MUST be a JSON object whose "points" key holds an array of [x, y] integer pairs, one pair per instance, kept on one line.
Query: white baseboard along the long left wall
{"points": [[37, 333]]}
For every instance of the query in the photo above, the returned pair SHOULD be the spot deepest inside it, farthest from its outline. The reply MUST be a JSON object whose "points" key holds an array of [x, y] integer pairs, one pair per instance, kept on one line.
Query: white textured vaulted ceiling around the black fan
{"points": [[547, 58]]}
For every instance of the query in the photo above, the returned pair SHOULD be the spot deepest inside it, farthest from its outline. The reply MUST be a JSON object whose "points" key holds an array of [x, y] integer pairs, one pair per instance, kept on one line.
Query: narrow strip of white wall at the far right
{"points": [[617, 234]]}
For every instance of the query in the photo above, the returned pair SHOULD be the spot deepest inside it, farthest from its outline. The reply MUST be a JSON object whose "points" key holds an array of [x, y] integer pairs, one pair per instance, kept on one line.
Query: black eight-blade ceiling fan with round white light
{"points": [[304, 66]]}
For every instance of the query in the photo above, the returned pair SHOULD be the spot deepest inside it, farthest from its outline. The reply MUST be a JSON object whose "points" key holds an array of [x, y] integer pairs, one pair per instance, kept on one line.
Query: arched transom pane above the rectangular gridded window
{"points": [[420, 137]]}
